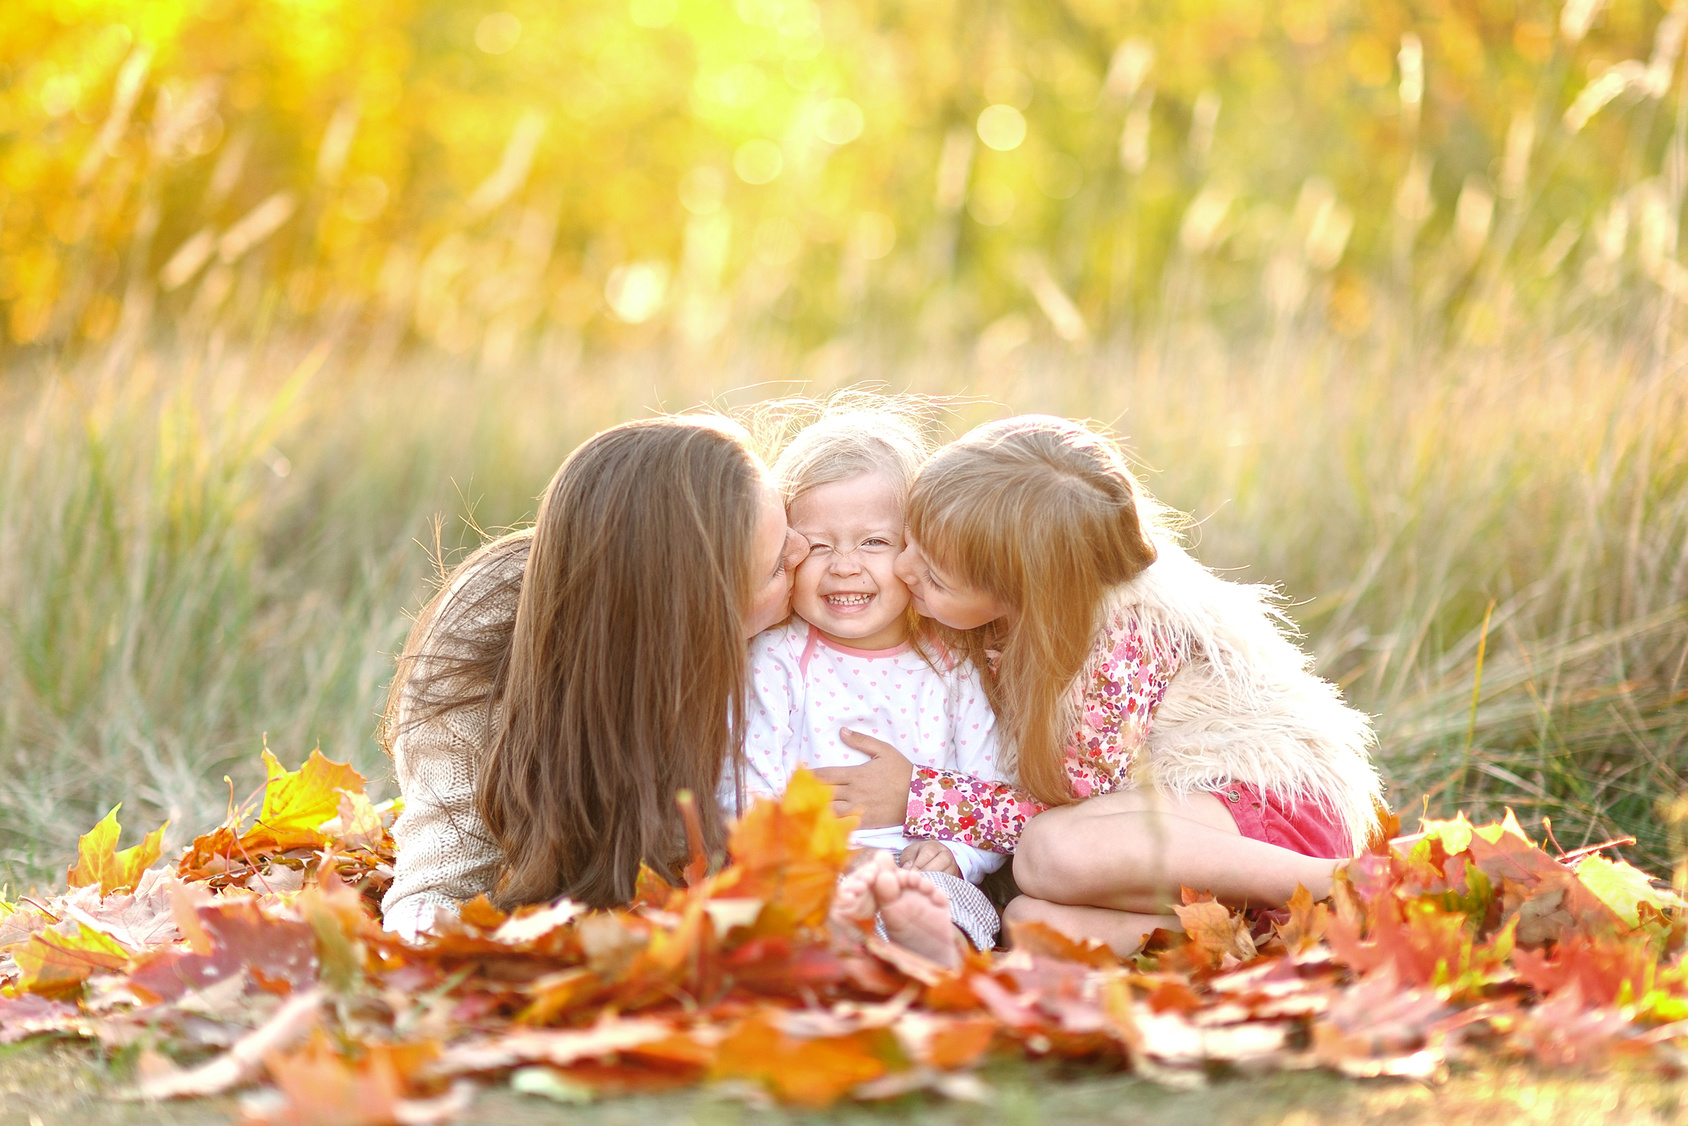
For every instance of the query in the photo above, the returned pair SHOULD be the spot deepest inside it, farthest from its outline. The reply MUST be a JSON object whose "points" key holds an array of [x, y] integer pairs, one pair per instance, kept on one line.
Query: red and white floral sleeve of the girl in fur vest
{"points": [[1117, 710]]}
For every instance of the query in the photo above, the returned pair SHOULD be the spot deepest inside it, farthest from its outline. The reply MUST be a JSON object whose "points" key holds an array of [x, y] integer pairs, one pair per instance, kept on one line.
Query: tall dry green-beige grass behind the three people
{"points": [[212, 546]]}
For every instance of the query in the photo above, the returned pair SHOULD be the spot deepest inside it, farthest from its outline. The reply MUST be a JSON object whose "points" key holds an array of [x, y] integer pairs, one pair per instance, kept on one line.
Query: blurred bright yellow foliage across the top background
{"points": [[475, 175]]}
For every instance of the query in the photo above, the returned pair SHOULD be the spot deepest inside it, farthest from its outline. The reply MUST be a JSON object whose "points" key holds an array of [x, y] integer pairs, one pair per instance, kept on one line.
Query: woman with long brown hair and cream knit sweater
{"points": [[573, 678]]}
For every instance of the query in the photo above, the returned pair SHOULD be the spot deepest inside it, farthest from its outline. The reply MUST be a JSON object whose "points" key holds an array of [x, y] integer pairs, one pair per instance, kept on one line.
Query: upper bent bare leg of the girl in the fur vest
{"points": [[1132, 852]]}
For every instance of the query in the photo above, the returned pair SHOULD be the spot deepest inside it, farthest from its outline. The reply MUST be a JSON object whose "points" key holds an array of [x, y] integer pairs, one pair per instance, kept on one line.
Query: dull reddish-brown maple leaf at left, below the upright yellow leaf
{"points": [[279, 953]]}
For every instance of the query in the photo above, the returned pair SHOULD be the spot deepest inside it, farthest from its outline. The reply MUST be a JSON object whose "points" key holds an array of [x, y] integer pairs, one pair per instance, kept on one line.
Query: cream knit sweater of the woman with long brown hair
{"points": [[446, 855]]}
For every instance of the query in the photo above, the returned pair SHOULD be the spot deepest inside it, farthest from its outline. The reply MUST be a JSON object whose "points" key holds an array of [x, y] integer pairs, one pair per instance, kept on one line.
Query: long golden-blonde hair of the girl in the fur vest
{"points": [[1042, 516]]}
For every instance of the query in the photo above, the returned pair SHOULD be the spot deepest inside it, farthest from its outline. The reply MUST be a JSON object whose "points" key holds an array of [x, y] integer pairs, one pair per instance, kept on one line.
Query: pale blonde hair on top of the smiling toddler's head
{"points": [[845, 445]]}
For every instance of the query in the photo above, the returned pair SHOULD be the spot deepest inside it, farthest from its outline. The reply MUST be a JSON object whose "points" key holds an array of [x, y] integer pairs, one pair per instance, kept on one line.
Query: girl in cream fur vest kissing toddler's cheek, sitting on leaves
{"points": [[1166, 728]]}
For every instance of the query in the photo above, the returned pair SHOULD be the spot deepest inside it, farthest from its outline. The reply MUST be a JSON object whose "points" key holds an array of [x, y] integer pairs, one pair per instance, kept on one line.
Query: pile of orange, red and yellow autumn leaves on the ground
{"points": [[257, 963]]}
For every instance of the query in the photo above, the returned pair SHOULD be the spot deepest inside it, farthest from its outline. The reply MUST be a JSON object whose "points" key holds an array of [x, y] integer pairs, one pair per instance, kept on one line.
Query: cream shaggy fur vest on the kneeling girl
{"points": [[1245, 705]]}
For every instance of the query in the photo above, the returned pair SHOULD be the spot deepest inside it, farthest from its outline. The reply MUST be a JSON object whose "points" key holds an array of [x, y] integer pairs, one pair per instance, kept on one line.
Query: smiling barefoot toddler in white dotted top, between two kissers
{"points": [[853, 659]]}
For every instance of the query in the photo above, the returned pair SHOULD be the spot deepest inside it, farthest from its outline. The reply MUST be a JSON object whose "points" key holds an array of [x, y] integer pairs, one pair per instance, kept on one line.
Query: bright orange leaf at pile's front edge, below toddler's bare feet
{"points": [[811, 1073]]}
